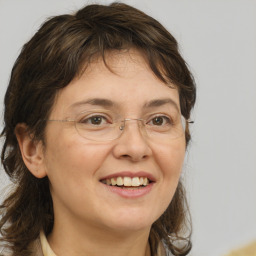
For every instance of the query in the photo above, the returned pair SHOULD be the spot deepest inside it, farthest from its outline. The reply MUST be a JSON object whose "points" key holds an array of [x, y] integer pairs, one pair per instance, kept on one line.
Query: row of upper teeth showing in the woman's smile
{"points": [[127, 181]]}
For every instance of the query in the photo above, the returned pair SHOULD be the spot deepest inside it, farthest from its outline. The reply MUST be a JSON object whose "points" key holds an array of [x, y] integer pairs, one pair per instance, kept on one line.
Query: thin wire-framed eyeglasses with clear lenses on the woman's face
{"points": [[98, 125]]}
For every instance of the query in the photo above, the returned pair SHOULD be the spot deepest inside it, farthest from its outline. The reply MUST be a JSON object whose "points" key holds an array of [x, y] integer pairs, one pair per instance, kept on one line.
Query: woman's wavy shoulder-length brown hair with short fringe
{"points": [[47, 63]]}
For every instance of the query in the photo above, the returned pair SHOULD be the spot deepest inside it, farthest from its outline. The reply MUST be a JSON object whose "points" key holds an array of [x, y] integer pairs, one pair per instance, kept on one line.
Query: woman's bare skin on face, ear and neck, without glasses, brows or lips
{"points": [[90, 219]]}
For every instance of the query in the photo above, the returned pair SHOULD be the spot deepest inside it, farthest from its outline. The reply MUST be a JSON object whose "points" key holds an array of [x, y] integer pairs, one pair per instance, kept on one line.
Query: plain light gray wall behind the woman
{"points": [[218, 40]]}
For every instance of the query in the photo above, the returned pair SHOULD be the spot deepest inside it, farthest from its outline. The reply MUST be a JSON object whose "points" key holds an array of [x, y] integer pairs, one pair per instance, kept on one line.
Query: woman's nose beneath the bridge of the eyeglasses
{"points": [[132, 144]]}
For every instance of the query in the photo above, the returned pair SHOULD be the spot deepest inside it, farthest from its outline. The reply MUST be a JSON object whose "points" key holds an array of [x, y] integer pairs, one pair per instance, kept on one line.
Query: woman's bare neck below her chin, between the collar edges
{"points": [[79, 240]]}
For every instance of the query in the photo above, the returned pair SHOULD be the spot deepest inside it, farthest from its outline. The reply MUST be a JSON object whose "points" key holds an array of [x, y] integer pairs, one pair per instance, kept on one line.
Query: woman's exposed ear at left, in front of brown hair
{"points": [[31, 151]]}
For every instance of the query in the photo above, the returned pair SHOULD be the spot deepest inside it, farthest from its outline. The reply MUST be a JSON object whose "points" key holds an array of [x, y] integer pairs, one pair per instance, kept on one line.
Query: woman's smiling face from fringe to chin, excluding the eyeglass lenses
{"points": [[78, 168]]}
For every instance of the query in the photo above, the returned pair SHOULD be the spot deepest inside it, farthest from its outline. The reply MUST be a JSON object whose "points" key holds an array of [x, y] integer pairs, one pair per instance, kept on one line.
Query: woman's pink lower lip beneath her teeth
{"points": [[130, 193]]}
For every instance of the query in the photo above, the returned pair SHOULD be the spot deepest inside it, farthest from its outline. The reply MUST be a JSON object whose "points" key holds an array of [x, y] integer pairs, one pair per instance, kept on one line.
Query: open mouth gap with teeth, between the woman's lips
{"points": [[127, 182]]}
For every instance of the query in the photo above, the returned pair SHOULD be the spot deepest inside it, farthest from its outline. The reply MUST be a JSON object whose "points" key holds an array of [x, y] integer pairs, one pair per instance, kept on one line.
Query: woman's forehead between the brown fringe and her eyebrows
{"points": [[125, 80]]}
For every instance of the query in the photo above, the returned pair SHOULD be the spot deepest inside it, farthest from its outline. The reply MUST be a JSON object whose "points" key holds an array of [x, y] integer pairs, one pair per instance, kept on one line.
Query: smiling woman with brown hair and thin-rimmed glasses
{"points": [[96, 128]]}
